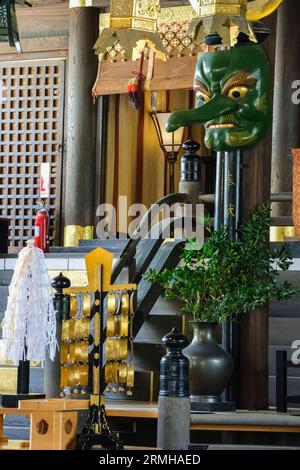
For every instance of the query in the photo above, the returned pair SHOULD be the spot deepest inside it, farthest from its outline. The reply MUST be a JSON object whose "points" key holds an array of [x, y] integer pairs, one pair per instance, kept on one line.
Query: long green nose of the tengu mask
{"points": [[218, 106]]}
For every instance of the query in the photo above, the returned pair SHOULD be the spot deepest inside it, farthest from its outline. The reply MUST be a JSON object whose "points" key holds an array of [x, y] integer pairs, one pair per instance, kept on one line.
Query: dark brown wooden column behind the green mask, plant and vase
{"points": [[253, 391]]}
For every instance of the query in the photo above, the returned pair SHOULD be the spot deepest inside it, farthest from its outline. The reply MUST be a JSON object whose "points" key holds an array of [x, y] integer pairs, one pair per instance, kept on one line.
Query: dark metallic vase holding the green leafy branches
{"points": [[210, 366]]}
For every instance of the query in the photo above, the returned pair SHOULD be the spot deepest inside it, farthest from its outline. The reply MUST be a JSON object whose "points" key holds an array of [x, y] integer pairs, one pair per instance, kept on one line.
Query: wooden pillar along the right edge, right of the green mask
{"points": [[286, 126]]}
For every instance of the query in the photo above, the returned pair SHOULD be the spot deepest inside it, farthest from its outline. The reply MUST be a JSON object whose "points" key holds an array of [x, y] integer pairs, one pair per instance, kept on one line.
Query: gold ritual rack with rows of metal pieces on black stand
{"points": [[97, 346]]}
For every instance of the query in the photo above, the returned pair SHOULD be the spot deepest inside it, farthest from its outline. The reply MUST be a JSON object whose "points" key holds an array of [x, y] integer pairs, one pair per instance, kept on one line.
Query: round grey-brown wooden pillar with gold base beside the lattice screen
{"points": [[79, 210]]}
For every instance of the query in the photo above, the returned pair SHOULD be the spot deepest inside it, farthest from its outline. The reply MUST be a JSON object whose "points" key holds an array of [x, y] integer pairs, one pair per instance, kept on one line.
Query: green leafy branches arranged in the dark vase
{"points": [[228, 276]]}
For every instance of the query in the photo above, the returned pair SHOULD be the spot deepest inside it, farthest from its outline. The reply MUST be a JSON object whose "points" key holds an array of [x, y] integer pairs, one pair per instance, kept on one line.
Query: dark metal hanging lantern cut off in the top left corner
{"points": [[8, 23]]}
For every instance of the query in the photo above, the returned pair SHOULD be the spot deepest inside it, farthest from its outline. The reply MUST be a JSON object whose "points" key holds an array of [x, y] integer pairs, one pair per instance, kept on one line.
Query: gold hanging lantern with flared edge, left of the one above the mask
{"points": [[133, 24]]}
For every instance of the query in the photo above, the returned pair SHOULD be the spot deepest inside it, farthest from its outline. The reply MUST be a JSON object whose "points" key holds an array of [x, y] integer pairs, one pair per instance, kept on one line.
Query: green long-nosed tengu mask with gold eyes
{"points": [[234, 98]]}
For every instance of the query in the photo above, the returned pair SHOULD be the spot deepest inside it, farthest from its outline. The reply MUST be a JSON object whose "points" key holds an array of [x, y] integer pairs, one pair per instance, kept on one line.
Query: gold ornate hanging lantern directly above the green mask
{"points": [[229, 18]]}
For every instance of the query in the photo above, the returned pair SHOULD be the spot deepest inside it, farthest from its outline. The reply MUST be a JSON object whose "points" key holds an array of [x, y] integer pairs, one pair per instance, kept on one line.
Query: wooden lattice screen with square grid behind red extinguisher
{"points": [[31, 126]]}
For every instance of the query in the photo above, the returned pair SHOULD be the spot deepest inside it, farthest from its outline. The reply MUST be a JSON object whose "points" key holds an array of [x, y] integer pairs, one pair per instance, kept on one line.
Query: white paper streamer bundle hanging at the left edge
{"points": [[30, 319]]}
